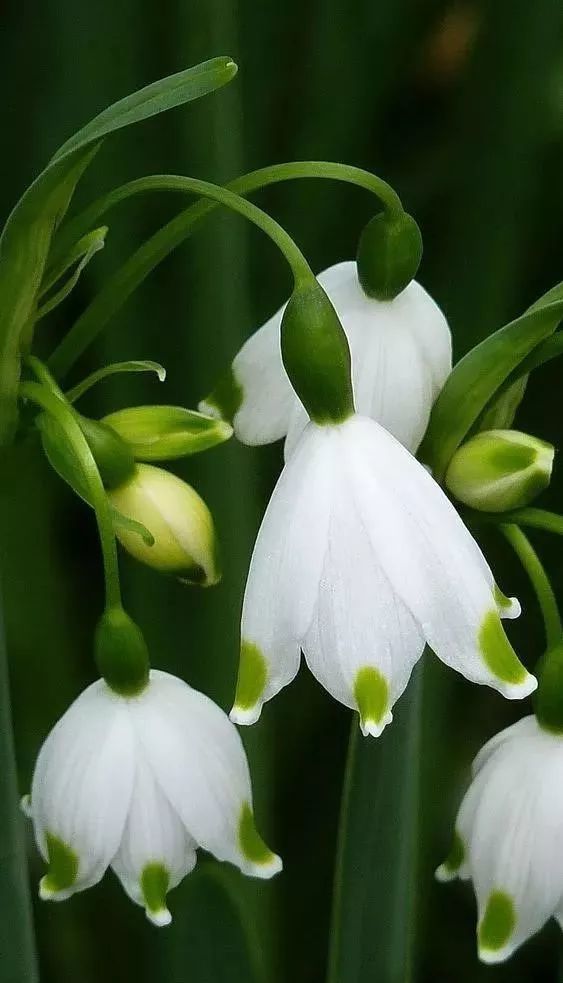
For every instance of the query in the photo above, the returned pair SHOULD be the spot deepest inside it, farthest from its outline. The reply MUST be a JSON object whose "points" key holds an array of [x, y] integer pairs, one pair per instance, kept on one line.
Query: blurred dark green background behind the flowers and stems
{"points": [[457, 104]]}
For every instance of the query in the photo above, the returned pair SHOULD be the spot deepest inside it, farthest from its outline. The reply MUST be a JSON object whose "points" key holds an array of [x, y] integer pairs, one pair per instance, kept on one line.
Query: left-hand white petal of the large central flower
{"points": [[284, 573]]}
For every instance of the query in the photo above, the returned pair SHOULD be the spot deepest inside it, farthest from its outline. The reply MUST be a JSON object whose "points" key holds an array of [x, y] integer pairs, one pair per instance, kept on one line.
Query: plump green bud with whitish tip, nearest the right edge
{"points": [[498, 470]]}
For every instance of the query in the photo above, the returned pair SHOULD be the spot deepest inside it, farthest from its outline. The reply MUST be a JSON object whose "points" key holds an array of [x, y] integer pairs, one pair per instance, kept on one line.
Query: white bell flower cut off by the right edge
{"points": [[509, 837]]}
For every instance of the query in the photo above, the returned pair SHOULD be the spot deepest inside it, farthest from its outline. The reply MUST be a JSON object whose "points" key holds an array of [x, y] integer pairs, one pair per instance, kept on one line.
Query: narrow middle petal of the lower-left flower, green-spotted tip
{"points": [[156, 852]]}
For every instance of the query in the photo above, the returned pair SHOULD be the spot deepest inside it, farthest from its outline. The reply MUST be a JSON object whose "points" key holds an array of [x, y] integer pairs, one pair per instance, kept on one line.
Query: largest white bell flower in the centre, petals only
{"points": [[359, 561]]}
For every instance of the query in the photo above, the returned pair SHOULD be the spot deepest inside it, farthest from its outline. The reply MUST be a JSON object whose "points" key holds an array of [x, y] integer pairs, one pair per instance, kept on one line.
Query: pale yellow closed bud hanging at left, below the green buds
{"points": [[177, 518]]}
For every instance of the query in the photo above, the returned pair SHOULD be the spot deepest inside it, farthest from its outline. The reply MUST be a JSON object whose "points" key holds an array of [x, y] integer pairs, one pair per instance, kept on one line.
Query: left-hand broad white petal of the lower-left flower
{"points": [[81, 790]]}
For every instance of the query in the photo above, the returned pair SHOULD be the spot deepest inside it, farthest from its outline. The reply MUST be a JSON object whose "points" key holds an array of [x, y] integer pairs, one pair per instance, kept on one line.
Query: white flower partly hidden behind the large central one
{"points": [[401, 356]]}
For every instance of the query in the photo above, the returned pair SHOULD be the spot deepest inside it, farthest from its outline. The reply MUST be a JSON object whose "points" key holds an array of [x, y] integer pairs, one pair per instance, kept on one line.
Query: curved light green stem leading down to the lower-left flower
{"points": [[46, 396]]}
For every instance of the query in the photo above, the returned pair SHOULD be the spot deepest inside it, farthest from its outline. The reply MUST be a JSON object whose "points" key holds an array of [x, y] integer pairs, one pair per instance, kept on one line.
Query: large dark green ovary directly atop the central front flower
{"points": [[316, 355]]}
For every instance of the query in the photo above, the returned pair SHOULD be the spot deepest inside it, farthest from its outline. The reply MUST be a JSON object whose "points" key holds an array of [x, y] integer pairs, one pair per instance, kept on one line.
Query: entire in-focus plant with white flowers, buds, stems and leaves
{"points": [[367, 553]]}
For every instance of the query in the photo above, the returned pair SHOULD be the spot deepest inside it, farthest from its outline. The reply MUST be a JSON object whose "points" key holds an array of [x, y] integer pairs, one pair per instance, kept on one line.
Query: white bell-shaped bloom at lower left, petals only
{"points": [[139, 784]]}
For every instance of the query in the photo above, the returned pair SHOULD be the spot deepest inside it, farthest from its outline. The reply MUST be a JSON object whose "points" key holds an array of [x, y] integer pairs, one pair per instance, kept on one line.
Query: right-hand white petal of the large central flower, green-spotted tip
{"points": [[431, 560]]}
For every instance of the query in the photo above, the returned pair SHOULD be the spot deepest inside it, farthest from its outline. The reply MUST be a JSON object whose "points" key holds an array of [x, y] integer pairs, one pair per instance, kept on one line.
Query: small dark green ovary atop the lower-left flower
{"points": [[121, 653]]}
